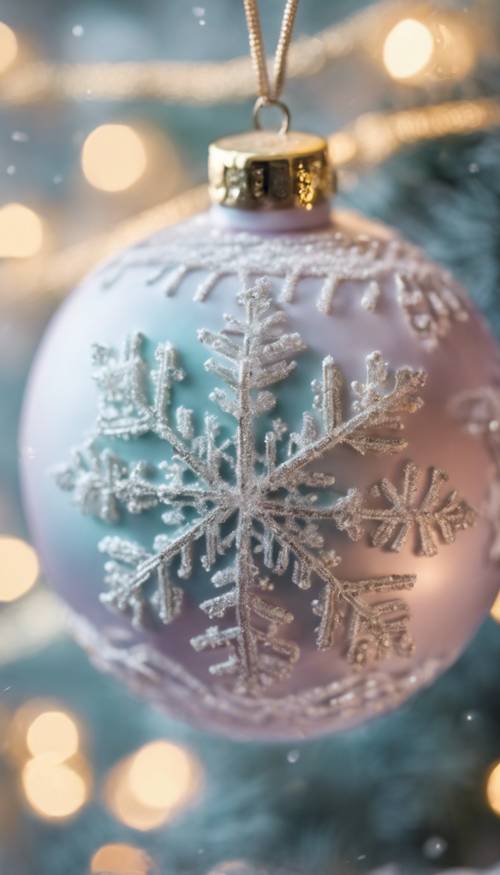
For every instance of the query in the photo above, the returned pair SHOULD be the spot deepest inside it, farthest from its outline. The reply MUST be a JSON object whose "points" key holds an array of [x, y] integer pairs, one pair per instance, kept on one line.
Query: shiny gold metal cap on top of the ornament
{"points": [[264, 170]]}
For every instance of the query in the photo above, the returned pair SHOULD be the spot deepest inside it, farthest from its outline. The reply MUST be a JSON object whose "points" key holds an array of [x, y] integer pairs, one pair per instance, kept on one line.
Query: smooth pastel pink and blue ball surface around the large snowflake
{"points": [[454, 589]]}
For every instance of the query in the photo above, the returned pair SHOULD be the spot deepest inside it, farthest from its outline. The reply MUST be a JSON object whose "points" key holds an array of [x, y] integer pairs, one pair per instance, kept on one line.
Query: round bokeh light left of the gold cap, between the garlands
{"points": [[113, 157]]}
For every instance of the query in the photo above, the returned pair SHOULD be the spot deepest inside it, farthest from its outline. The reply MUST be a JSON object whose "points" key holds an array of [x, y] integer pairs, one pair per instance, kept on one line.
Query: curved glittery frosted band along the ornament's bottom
{"points": [[169, 684]]}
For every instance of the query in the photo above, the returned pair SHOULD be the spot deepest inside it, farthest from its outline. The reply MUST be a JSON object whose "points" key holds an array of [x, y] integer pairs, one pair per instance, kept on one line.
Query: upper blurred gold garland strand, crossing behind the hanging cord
{"points": [[193, 82]]}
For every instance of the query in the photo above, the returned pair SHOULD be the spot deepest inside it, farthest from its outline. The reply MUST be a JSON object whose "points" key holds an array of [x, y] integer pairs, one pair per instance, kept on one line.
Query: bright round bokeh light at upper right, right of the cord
{"points": [[408, 48]]}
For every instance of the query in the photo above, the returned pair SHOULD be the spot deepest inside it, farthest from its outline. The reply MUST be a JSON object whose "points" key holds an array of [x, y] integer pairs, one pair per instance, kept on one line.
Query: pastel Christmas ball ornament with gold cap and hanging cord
{"points": [[242, 460]]}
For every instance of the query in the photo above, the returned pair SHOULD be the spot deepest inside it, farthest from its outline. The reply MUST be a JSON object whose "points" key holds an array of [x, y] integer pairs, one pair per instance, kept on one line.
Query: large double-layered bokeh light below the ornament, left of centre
{"points": [[148, 788]]}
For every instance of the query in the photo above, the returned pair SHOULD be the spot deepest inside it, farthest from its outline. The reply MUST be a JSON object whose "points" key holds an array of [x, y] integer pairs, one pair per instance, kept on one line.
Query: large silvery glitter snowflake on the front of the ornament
{"points": [[251, 509]]}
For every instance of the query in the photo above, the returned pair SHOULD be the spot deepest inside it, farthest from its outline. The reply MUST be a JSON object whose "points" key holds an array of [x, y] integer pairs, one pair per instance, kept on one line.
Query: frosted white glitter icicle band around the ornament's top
{"points": [[428, 295]]}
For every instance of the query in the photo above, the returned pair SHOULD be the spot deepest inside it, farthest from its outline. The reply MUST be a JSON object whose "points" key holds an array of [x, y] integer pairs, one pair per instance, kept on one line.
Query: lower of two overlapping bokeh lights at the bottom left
{"points": [[54, 790]]}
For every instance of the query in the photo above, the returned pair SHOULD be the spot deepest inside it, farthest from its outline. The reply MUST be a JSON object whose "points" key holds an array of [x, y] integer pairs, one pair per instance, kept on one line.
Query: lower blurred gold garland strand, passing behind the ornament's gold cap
{"points": [[370, 139]]}
